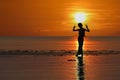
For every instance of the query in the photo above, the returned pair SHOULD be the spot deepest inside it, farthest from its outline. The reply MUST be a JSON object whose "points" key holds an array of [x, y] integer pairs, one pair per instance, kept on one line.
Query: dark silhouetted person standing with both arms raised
{"points": [[81, 37]]}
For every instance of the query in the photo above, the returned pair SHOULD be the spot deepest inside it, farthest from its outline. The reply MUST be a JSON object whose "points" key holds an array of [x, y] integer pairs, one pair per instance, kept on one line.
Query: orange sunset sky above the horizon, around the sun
{"points": [[53, 17]]}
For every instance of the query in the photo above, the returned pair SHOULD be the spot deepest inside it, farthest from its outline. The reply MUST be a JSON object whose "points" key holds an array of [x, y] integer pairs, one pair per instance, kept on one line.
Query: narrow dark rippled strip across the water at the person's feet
{"points": [[56, 52]]}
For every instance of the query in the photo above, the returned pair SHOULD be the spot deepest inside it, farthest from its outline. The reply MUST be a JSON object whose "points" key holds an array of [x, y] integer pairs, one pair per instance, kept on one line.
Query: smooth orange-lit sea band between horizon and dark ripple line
{"points": [[58, 43]]}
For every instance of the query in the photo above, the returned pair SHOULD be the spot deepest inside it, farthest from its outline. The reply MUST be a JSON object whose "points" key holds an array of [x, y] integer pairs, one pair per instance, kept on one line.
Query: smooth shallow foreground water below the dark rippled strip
{"points": [[26, 67]]}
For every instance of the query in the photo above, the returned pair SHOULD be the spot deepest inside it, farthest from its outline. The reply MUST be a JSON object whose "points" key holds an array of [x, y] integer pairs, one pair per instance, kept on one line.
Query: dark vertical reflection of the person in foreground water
{"points": [[80, 68]]}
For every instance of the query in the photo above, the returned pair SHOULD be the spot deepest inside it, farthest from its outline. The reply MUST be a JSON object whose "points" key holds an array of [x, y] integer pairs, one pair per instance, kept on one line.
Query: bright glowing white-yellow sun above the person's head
{"points": [[80, 17]]}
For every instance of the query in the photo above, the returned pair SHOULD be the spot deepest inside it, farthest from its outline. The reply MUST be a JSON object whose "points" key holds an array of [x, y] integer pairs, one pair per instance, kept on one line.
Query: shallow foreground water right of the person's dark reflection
{"points": [[102, 67]]}
